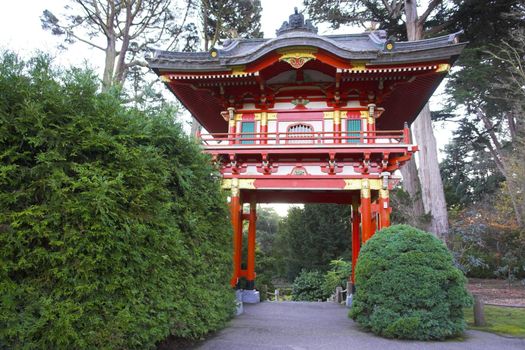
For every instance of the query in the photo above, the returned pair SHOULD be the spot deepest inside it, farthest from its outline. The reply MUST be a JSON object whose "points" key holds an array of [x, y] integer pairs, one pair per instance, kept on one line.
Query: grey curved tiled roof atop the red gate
{"points": [[366, 46]]}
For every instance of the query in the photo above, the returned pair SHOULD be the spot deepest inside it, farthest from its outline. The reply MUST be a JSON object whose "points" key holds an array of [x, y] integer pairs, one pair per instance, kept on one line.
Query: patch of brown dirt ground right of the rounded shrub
{"points": [[497, 292]]}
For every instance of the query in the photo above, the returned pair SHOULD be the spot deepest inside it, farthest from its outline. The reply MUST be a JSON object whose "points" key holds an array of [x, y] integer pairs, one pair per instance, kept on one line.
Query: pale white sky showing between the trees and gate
{"points": [[21, 31]]}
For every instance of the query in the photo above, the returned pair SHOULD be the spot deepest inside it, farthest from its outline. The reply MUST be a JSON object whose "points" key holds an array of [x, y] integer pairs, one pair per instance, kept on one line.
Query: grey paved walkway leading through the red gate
{"points": [[297, 326]]}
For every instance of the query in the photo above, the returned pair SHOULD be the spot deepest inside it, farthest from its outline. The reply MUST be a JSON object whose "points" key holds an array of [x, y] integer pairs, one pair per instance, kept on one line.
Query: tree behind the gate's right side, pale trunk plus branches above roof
{"points": [[404, 19]]}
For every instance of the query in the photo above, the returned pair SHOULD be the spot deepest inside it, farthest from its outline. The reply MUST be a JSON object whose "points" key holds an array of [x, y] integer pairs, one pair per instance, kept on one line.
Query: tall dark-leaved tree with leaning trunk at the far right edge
{"points": [[488, 91]]}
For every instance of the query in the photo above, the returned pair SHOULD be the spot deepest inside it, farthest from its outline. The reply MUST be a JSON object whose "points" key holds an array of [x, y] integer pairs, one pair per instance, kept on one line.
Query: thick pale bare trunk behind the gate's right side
{"points": [[432, 193]]}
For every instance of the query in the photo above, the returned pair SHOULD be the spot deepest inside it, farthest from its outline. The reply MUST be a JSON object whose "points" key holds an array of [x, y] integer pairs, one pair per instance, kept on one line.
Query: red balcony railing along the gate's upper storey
{"points": [[307, 138]]}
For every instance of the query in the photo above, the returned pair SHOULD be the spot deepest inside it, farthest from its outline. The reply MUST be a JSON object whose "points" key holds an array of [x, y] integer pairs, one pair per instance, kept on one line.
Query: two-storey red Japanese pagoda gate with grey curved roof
{"points": [[304, 118]]}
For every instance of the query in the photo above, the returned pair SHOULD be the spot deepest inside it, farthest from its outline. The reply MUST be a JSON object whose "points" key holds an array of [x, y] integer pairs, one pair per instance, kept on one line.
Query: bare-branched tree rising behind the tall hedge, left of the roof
{"points": [[122, 30]]}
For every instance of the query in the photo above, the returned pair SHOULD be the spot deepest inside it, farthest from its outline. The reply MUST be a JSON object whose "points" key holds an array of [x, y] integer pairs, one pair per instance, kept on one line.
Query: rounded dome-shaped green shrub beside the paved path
{"points": [[408, 287]]}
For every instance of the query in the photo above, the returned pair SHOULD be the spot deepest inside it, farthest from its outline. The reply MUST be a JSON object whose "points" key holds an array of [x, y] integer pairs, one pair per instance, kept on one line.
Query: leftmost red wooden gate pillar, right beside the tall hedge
{"points": [[236, 217]]}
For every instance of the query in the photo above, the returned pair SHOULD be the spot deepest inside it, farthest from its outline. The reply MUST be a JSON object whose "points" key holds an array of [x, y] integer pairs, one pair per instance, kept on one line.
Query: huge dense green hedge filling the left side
{"points": [[113, 232]]}
